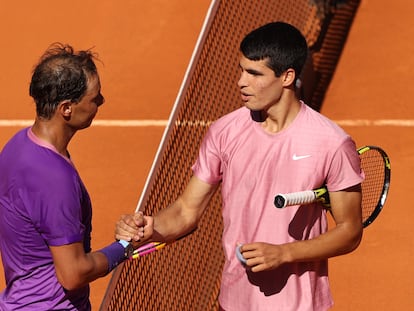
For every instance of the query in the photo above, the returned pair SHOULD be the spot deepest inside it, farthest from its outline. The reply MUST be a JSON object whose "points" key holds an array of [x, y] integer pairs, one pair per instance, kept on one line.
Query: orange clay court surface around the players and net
{"points": [[145, 48]]}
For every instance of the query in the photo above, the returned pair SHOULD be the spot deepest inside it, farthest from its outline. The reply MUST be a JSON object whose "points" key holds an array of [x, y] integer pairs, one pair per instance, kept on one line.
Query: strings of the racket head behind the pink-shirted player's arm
{"points": [[372, 163]]}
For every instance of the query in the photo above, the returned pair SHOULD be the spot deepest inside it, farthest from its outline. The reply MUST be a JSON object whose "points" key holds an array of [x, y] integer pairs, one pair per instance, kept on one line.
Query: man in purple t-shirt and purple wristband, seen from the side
{"points": [[45, 209]]}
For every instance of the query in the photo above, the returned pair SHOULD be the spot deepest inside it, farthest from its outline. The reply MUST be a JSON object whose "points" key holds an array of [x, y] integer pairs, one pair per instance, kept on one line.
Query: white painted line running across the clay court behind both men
{"points": [[163, 123]]}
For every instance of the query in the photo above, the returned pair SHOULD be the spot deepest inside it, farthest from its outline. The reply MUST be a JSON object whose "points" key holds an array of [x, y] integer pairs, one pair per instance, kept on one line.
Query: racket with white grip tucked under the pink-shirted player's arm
{"points": [[377, 168]]}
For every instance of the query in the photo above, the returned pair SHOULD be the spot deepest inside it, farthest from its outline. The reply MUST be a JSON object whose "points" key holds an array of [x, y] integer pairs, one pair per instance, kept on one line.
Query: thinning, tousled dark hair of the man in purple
{"points": [[61, 74]]}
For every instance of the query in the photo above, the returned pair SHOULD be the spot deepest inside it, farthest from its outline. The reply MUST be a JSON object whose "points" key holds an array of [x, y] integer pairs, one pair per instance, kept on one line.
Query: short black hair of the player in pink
{"points": [[280, 44]]}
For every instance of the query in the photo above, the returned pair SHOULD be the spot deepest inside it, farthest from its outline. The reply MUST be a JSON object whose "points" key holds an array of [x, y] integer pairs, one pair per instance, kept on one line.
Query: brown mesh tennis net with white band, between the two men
{"points": [[186, 275]]}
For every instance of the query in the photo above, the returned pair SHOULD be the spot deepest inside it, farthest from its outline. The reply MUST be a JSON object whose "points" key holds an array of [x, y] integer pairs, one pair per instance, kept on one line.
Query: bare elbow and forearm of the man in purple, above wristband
{"points": [[74, 268]]}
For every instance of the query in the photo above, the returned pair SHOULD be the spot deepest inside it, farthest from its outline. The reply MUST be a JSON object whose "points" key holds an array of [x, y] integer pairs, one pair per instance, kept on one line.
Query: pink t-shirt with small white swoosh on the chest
{"points": [[253, 166]]}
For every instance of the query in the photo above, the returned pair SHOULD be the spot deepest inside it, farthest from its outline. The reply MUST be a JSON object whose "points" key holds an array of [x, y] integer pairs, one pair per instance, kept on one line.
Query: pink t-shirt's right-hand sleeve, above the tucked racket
{"points": [[345, 168]]}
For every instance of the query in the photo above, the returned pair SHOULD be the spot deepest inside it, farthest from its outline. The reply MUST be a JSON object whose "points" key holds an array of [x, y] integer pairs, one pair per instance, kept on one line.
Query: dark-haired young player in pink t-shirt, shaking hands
{"points": [[274, 144]]}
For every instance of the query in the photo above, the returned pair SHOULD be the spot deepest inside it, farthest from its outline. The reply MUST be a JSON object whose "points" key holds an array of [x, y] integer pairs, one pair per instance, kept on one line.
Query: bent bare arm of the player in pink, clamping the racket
{"points": [[342, 239]]}
